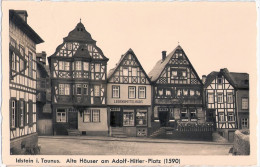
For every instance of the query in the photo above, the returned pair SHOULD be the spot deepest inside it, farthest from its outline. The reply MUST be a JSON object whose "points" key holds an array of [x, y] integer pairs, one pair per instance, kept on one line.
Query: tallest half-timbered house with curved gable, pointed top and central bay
{"points": [[78, 78]]}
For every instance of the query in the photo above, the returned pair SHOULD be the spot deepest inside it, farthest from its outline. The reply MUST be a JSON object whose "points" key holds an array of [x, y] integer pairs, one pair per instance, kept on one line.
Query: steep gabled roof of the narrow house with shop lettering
{"points": [[113, 70]]}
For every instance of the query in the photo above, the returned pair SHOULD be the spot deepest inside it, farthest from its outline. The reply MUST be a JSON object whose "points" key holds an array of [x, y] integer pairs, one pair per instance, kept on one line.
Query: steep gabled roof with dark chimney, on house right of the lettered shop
{"points": [[155, 73]]}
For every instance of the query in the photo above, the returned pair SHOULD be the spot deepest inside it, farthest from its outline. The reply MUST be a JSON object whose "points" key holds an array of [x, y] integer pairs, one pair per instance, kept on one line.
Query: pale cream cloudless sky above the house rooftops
{"points": [[213, 35]]}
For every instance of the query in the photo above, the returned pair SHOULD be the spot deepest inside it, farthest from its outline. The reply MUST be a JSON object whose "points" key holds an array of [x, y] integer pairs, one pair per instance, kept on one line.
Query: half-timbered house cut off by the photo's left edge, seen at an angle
{"points": [[22, 82]]}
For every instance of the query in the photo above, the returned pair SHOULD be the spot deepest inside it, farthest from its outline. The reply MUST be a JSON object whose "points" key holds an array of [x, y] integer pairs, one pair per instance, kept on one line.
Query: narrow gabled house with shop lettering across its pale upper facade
{"points": [[129, 97]]}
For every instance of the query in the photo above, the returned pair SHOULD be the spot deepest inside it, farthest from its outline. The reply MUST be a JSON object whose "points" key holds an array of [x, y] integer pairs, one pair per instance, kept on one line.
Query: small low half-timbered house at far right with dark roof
{"points": [[226, 95]]}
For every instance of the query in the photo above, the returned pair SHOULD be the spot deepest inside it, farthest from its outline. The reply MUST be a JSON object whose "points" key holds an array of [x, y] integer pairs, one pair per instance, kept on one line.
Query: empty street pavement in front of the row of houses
{"points": [[89, 145]]}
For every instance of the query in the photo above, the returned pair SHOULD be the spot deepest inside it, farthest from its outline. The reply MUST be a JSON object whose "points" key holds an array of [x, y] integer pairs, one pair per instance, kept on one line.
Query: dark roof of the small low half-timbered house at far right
{"points": [[237, 80]]}
